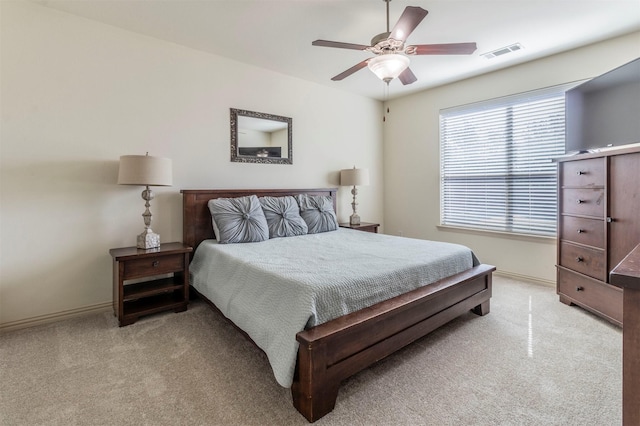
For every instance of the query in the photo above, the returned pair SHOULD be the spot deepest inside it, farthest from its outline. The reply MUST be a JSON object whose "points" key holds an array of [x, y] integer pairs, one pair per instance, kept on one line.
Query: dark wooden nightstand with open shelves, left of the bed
{"points": [[149, 281]]}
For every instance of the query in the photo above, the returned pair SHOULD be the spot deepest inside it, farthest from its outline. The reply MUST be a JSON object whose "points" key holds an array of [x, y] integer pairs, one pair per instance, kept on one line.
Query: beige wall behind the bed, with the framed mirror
{"points": [[77, 94]]}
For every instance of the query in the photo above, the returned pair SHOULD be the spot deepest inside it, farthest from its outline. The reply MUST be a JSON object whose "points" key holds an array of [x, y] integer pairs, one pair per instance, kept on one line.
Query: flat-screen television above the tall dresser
{"points": [[604, 111]]}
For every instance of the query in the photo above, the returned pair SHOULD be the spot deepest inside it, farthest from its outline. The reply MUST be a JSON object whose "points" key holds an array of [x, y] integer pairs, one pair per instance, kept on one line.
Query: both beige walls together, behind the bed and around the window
{"points": [[76, 94]]}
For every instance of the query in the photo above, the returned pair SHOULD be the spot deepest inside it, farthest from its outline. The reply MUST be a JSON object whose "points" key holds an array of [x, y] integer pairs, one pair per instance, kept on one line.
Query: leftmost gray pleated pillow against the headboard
{"points": [[238, 220]]}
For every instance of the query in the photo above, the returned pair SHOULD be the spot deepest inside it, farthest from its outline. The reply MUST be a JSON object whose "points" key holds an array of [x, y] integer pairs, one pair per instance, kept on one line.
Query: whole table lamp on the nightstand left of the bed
{"points": [[145, 170]]}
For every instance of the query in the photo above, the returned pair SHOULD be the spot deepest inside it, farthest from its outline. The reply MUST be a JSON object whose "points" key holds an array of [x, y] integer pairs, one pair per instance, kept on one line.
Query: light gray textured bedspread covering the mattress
{"points": [[276, 288]]}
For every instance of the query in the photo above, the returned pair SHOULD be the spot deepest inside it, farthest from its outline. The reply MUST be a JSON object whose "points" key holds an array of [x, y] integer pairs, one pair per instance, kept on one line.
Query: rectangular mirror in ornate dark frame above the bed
{"points": [[257, 137]]}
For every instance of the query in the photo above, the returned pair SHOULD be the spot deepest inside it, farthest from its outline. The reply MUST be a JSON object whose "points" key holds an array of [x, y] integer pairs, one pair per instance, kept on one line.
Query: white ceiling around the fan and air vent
{"points": [[277, 34]]}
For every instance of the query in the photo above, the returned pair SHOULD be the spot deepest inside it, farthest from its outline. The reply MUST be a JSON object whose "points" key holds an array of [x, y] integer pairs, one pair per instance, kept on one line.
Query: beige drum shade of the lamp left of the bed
{"points": [[145, 170]]}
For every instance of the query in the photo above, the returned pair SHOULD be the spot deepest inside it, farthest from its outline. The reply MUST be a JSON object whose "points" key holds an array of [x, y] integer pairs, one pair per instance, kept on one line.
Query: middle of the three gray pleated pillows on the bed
{"points": [[283, 216]]}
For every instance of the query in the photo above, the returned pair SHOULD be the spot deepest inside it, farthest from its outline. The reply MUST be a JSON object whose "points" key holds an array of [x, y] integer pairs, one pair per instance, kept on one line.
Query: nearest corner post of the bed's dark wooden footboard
{"points": [[314, 389]]}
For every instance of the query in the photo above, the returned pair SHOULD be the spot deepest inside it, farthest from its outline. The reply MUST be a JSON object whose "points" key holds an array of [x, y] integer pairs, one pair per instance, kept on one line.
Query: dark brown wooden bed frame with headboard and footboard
{"points": [[335, 350]]}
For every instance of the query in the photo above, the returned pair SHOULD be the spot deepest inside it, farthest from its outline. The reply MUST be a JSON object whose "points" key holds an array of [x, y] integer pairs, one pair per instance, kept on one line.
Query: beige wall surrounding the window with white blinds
{"points": [[411, 152]]}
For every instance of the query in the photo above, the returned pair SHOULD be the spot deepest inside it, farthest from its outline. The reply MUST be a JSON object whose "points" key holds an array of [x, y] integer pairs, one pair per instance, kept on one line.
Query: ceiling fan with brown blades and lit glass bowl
{"points": [[392, 60]]}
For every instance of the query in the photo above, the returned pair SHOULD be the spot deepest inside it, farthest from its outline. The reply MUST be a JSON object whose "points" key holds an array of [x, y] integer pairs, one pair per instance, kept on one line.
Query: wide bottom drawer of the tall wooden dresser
{"points": [[594, 295]]}
